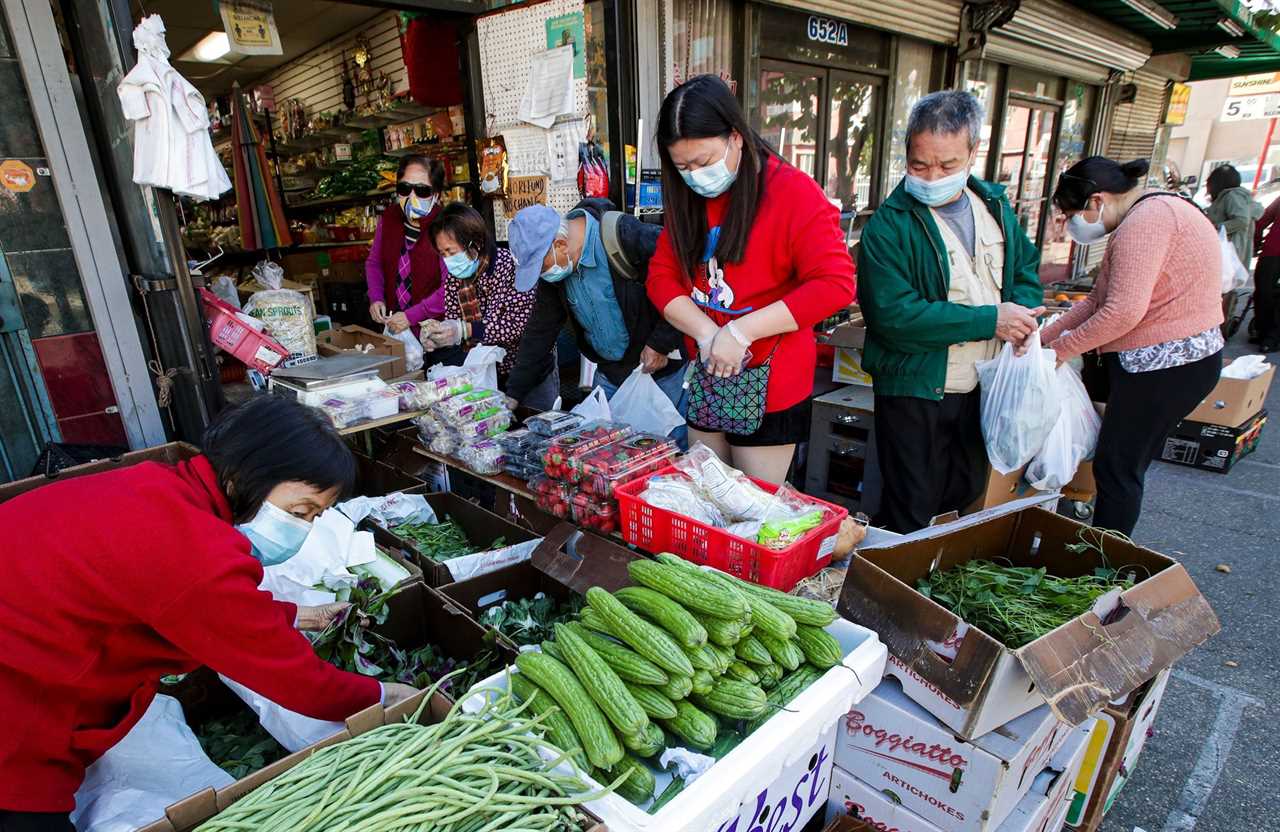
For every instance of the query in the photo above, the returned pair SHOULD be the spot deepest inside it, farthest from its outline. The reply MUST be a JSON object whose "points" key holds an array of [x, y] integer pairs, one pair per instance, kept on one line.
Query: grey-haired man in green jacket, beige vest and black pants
{"points": [[945, 275]]}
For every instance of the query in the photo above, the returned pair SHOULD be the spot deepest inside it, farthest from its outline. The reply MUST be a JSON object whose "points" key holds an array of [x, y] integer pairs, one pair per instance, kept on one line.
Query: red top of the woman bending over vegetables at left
{"points": [[115, 580]]}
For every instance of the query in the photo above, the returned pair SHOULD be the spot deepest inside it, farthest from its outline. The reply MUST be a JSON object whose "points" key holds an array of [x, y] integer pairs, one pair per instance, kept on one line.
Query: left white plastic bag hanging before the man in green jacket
{"points": [[1021, 403]]}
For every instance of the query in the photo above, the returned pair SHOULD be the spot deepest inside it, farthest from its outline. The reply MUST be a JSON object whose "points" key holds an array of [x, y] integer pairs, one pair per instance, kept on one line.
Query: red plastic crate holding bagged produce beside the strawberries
{"points": [[660, 531]]}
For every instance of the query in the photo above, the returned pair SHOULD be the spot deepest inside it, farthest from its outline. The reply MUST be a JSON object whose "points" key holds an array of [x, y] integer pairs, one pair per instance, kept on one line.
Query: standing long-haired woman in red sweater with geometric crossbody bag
{"points": [[751, 259]]}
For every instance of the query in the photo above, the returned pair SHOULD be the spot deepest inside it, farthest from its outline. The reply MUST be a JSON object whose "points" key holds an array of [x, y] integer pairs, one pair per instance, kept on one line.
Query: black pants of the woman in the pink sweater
{"points": [[1142, 409]]}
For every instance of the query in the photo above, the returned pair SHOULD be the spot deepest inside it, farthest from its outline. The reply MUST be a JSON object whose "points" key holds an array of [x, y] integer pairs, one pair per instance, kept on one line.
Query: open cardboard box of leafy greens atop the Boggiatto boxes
{"points": [[973, 683]]}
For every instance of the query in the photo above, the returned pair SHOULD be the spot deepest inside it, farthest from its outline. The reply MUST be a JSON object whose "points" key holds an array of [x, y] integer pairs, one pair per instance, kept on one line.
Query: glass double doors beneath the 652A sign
{"points": [[826, 122]]}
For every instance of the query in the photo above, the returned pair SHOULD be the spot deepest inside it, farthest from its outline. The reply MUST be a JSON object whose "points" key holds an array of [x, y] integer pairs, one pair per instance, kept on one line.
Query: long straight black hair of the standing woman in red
{"points": [[705, 108]]}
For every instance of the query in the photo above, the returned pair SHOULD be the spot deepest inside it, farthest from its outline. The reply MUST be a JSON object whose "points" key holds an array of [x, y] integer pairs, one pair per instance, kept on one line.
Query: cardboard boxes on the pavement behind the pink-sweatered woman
{"points": [[1224, 428]]}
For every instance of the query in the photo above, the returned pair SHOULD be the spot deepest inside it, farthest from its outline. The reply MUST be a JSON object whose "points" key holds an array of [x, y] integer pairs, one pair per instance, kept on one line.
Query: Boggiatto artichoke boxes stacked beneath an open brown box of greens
{"points": [[968, 735]]}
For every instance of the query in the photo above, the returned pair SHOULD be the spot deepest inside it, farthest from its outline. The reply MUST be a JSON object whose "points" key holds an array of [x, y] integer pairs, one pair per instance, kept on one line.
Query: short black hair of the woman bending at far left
{"points": [[271, 440]]}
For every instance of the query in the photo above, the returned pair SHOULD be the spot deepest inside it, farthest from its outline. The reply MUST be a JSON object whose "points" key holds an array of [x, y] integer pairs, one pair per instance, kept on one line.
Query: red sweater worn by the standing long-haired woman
{"points": [[796, 254]]}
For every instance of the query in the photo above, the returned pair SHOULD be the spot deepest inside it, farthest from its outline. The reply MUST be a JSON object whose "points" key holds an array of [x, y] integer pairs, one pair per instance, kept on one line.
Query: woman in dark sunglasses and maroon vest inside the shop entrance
{"points": [[404, 271]]}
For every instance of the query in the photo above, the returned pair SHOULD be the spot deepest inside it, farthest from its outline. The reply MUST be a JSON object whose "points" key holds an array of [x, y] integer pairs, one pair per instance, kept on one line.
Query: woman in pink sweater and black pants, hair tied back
{"points": [[1154, 314]]}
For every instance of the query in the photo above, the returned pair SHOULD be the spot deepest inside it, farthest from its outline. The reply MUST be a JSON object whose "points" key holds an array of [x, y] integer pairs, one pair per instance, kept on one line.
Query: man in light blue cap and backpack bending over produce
{"points": [[589, 268]]}
